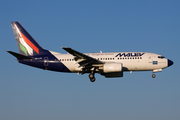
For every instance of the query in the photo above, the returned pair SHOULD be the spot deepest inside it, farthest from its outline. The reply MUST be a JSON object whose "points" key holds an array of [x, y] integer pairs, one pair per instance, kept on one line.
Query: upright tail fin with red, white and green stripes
{"points": [[26, 44]]}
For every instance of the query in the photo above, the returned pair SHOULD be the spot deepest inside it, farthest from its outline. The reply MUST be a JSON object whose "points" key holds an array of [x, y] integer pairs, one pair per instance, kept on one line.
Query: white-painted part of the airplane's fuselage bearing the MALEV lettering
{"points": [[131, 61]]}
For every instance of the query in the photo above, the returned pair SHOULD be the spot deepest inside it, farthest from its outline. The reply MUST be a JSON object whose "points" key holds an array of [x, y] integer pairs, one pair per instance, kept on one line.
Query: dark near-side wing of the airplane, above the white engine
{"points": [[82, 59]]}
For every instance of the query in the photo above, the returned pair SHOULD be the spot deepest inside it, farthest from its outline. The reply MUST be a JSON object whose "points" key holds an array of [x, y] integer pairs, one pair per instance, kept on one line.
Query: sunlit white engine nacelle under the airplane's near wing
{"points": [[112, 67]]}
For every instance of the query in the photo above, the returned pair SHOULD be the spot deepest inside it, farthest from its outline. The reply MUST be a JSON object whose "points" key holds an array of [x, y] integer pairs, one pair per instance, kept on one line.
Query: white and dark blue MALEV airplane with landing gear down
{"points": [[110, 65]]}
